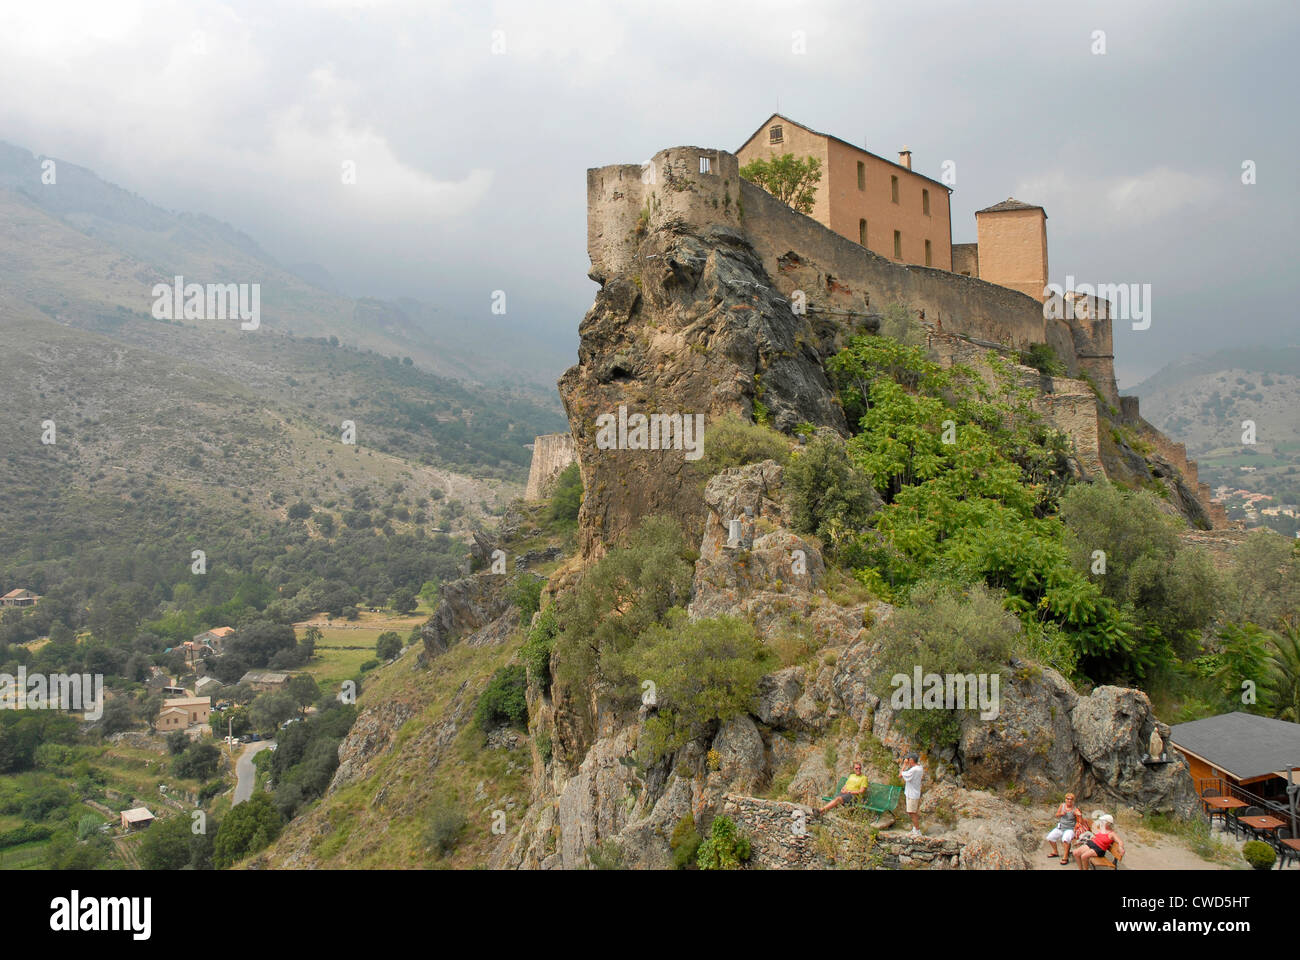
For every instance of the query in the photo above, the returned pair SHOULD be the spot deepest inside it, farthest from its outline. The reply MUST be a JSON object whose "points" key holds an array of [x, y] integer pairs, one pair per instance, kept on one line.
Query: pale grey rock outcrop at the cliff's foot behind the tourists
{"points": [[1046, 741]]}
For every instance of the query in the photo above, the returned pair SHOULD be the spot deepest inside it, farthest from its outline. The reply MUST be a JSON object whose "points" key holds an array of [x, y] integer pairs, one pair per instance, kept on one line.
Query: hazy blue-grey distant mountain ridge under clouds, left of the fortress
{"points": [[80, 248]]}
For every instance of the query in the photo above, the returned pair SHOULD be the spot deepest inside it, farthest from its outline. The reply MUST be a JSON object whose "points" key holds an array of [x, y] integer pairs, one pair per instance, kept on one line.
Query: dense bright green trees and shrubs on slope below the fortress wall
{"points": [[978, 490]]}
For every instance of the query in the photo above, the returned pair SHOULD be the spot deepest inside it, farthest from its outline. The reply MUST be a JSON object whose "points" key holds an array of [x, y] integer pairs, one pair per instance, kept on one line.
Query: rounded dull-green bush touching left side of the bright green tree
{"points": [[827, 494]]}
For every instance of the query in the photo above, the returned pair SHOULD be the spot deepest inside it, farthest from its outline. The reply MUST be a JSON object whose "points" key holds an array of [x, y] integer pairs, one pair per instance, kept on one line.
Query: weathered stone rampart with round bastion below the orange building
{"points": [[700, 191]]}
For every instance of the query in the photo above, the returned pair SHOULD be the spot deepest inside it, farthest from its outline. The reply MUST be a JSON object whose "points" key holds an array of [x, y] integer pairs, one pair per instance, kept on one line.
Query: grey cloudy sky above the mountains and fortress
{"points": [[471, 165]]}
